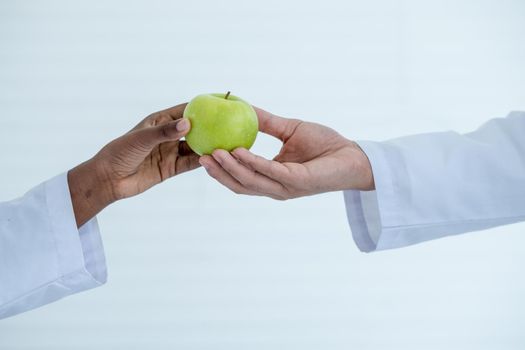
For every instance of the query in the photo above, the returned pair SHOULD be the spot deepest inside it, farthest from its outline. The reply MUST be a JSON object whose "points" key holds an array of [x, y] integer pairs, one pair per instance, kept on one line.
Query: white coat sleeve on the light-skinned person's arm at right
{"points": [[439, 184]]}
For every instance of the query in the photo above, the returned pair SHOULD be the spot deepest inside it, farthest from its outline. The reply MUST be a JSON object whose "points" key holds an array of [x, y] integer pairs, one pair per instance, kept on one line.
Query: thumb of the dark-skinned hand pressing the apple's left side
{"points": [[147, 138]]}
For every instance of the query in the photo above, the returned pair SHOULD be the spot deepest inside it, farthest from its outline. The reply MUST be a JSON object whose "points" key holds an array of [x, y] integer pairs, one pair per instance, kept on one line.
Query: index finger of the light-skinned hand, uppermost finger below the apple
{"points": [[269, 168]]}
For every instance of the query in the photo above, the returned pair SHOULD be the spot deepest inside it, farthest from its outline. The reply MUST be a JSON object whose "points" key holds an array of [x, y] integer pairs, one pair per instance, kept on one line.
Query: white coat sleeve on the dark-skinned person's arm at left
{"points": [[43, 256]]}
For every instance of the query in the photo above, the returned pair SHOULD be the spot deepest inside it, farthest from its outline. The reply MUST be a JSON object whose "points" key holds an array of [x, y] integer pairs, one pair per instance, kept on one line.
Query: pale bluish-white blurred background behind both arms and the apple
{"points": [[193, 266]]}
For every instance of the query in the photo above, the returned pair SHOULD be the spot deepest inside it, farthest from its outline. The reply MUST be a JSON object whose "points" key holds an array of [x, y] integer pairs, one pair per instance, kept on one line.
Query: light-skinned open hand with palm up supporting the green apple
{"points": [[313, 159]]}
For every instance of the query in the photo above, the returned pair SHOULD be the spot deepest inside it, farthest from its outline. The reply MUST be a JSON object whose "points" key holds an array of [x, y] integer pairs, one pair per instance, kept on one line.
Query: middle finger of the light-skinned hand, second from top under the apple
{"points": [[248, 178]]}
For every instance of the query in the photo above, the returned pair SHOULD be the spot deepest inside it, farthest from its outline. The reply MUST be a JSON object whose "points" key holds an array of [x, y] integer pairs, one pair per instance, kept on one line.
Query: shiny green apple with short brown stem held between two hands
{"points": [[220, 121]]}
